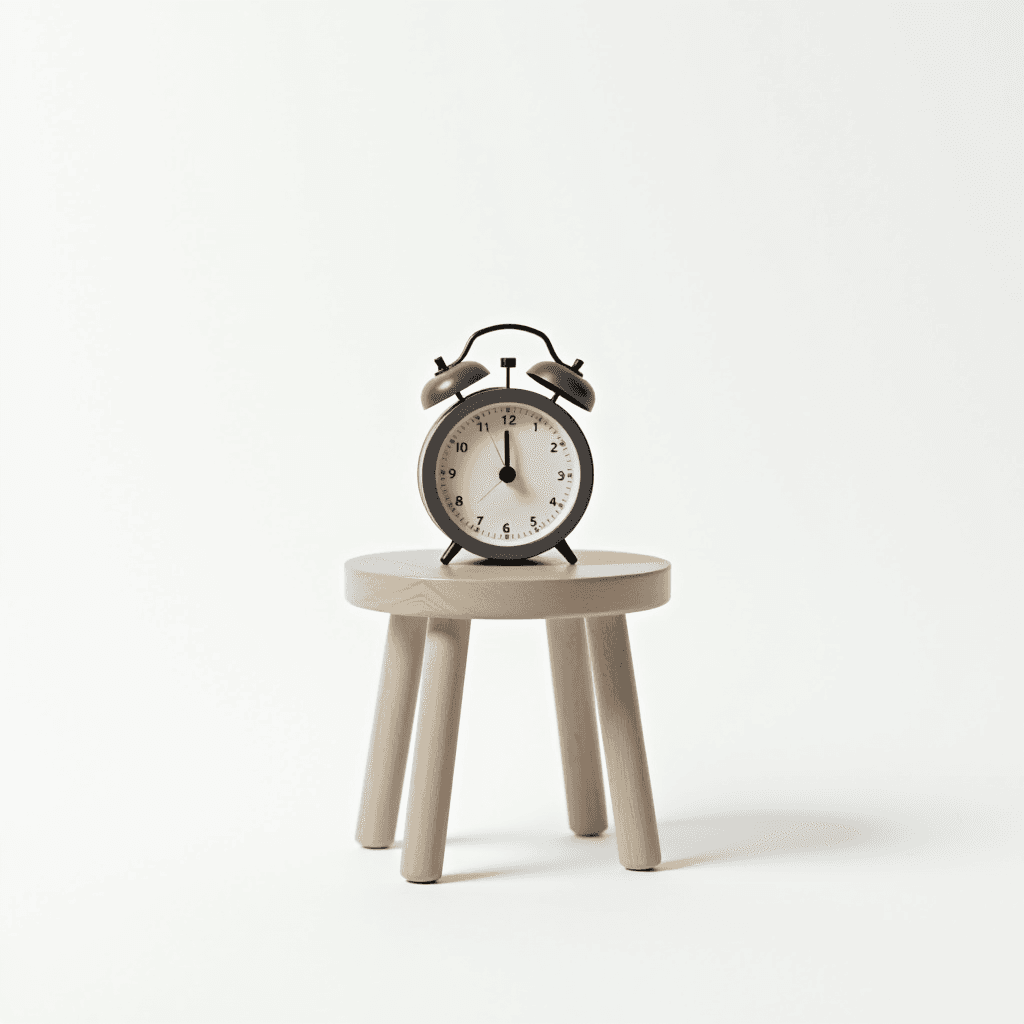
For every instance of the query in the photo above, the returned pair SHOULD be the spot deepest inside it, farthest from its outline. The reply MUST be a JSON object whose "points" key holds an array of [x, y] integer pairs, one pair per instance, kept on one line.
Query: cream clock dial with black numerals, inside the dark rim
{"points": [[507, 500]]}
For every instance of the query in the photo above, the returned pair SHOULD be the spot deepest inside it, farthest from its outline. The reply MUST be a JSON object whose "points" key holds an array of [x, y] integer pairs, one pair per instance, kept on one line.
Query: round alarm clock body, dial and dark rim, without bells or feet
{"points": [[509, 472]]}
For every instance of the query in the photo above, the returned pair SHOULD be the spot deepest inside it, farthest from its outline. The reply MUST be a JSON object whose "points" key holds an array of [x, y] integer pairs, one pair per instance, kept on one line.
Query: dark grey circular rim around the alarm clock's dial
{"points": [[432, 450]]}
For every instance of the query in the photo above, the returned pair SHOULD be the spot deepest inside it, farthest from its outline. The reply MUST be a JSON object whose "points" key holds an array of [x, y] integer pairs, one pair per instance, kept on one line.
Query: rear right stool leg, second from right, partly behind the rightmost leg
{"points": [[577, 727]]}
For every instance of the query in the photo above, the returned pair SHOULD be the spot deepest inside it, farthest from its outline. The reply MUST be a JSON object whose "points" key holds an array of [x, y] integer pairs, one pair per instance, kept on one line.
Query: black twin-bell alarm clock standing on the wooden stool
{"points": [[506, 473]]}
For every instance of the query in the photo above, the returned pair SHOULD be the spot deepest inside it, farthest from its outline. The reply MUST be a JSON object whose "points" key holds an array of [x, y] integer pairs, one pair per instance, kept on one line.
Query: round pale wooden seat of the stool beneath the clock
{"points": [[415, 583]]}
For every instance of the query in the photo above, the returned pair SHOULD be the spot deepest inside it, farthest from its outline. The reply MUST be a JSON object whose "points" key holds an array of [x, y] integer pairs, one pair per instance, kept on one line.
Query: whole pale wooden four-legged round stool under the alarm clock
{"points": [[432, 607]]}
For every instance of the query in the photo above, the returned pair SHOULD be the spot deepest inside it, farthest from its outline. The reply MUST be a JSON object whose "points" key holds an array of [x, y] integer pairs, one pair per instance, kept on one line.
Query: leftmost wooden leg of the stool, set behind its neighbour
{"points": [[393, 730]]}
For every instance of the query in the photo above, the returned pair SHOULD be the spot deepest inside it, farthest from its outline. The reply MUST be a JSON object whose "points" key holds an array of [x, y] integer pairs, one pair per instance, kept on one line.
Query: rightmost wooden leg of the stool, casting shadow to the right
{"points": [[629, 780]]}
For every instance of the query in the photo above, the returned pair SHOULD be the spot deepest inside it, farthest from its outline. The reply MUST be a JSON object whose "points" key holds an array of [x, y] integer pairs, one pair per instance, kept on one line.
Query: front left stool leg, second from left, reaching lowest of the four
{"points": [[434, 762]]}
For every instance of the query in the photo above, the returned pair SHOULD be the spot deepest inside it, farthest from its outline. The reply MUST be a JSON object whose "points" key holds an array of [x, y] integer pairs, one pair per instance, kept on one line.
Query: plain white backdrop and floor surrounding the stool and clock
{"points": [[787, 242]]}
